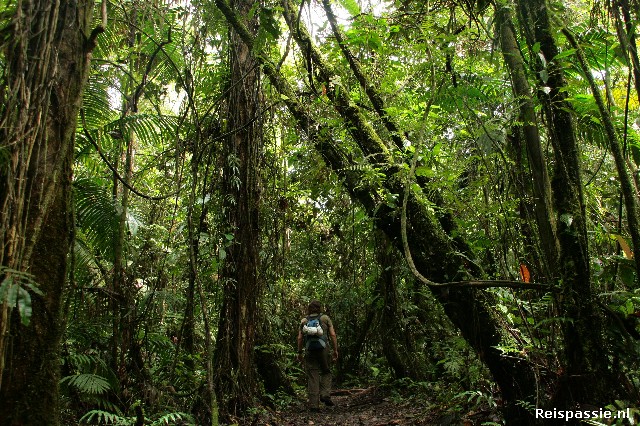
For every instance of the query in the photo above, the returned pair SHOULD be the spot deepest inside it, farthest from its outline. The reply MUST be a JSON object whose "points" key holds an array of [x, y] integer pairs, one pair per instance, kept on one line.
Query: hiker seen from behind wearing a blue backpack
{"points": [[314, 333]]}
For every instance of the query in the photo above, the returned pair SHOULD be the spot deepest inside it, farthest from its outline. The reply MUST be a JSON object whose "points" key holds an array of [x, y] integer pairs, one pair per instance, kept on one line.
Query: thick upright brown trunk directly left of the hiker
{"points": [[237, 328]]}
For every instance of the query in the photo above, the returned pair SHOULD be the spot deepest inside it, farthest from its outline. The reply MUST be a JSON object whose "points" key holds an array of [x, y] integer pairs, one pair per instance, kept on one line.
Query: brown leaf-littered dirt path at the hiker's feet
{"points": [[371, 407]]}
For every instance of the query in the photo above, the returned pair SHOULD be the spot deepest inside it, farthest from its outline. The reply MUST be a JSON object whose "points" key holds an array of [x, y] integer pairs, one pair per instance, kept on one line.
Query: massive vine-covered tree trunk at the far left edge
{"points": [[46, 67]]}
